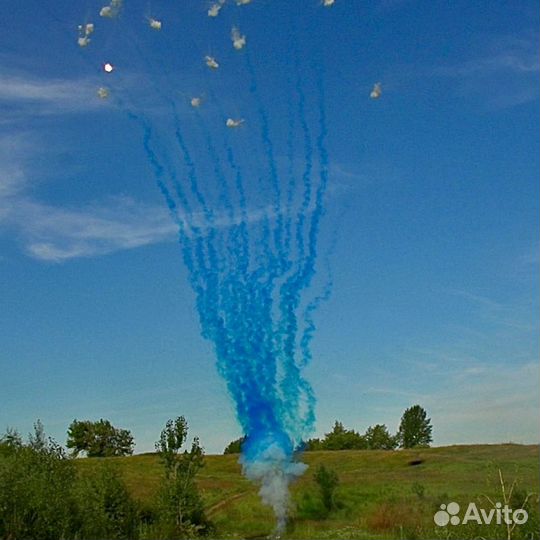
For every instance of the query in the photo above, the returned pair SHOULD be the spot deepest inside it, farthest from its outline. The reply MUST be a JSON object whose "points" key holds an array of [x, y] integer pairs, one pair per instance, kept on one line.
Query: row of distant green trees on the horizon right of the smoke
{"points": [[415, 430]]}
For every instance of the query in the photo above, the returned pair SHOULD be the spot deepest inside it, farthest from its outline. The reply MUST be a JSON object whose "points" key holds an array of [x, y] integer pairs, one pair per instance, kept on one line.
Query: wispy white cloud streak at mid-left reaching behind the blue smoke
{"points": [[57, 233]]}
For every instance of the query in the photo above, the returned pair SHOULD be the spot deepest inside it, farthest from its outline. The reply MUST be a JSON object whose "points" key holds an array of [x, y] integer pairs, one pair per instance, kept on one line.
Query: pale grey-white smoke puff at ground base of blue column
{"points": [[274, 471]]}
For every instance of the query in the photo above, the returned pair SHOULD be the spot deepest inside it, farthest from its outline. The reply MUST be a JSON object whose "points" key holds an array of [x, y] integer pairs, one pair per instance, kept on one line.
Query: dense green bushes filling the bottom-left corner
{"points": [[43, 498]]}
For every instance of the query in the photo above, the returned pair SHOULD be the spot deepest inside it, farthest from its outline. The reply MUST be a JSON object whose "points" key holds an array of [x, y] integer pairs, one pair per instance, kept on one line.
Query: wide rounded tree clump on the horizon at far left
{"points": [[99, 439]]}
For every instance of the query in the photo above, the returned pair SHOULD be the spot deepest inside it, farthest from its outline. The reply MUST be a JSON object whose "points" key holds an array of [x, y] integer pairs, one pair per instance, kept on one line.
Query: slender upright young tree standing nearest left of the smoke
{"points": [[182, 510]]}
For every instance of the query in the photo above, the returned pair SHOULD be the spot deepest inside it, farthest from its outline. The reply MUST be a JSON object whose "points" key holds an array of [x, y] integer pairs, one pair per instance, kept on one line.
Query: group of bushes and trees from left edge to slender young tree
{"points": [[44, 496]]}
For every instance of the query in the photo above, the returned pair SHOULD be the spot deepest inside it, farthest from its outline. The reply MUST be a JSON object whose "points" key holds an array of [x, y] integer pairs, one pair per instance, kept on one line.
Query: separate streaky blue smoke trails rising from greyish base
{"points": [[256, 353]]}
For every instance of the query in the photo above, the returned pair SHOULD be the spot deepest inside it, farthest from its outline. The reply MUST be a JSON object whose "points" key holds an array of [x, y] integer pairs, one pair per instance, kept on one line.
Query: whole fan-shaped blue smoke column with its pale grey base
{"points": [[250, 252]]}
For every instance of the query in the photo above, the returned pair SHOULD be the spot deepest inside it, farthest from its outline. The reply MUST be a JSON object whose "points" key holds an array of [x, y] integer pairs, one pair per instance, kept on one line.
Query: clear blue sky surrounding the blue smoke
{"points": [[433, 207]]}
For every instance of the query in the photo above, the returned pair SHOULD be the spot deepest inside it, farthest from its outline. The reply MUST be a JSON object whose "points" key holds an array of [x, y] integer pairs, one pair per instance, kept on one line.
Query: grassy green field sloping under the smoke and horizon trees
{"points": [[382, 494]]}
